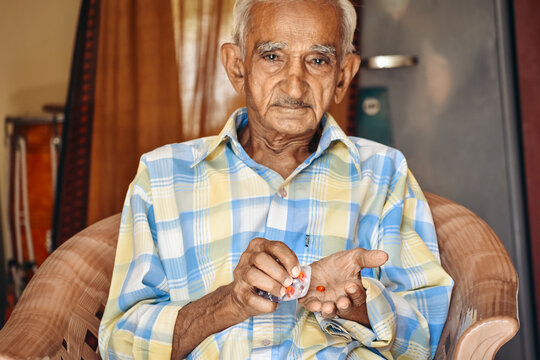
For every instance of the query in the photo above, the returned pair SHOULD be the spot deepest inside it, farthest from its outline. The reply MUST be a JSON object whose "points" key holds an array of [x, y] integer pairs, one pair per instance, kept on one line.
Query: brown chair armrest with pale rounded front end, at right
{"points": [[483, 308]]}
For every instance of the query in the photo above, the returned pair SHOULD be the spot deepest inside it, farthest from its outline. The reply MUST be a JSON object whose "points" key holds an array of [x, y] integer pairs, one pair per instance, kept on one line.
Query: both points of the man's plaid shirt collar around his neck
{"points": [[331, 133]]}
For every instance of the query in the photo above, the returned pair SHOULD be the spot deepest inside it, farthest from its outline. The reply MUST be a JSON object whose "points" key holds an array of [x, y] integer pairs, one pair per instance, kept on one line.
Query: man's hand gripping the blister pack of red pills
{"points": [[265, 265]]}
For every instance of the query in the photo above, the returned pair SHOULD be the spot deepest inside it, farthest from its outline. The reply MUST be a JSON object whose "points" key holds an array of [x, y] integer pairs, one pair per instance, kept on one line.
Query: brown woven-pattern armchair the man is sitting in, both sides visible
{"points": [[58, 314]]}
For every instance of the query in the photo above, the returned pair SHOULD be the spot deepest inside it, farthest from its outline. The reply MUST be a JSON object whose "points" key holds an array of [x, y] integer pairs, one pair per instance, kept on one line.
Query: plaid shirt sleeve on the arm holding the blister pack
{"points": [[139, 317]]}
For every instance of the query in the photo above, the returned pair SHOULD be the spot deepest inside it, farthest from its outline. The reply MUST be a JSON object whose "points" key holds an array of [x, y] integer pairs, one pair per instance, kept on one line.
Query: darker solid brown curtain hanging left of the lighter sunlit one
{"points": [[137, 105]]}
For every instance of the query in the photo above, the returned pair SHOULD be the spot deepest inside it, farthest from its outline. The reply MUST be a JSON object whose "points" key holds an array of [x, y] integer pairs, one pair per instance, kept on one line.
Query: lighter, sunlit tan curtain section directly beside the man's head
{"points": [[206, 95]]}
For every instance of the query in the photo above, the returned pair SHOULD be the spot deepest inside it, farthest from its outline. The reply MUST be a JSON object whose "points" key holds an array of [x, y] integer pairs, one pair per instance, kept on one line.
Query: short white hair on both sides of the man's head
{"points": [[242, 18]]}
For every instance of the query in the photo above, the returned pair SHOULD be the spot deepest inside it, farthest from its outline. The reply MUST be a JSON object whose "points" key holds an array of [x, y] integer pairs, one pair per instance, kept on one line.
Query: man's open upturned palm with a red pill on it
{"points": [[343, 293]]}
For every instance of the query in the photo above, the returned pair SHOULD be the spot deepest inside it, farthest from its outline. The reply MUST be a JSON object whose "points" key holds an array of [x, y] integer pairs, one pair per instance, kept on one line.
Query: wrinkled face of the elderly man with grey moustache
{"points": [[292, 64]]}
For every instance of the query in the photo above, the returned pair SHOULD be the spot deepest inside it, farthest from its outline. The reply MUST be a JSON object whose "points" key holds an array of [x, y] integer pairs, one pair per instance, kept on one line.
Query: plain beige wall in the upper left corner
{"points": [[36, 41]]}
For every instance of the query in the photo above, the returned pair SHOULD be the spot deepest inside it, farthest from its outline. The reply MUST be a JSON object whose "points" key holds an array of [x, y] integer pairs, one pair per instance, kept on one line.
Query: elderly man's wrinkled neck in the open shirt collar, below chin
{"points": [[282, 155]]}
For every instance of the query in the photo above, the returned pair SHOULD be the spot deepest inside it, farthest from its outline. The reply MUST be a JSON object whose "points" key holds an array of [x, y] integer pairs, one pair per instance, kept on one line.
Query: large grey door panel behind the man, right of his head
{"points": [[453, 115]]}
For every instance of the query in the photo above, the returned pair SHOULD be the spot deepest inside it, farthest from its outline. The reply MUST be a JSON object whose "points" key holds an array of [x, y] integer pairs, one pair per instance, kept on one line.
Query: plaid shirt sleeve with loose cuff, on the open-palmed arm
{"points": [[409, 296]]}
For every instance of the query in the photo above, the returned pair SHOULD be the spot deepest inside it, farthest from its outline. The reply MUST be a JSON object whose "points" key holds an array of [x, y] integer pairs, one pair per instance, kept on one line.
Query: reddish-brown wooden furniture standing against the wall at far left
{"points": [[34, 150]]}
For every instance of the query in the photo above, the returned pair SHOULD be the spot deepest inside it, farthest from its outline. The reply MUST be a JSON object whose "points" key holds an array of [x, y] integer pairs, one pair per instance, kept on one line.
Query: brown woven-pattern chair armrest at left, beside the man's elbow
{"points": [[58, 313]]}
